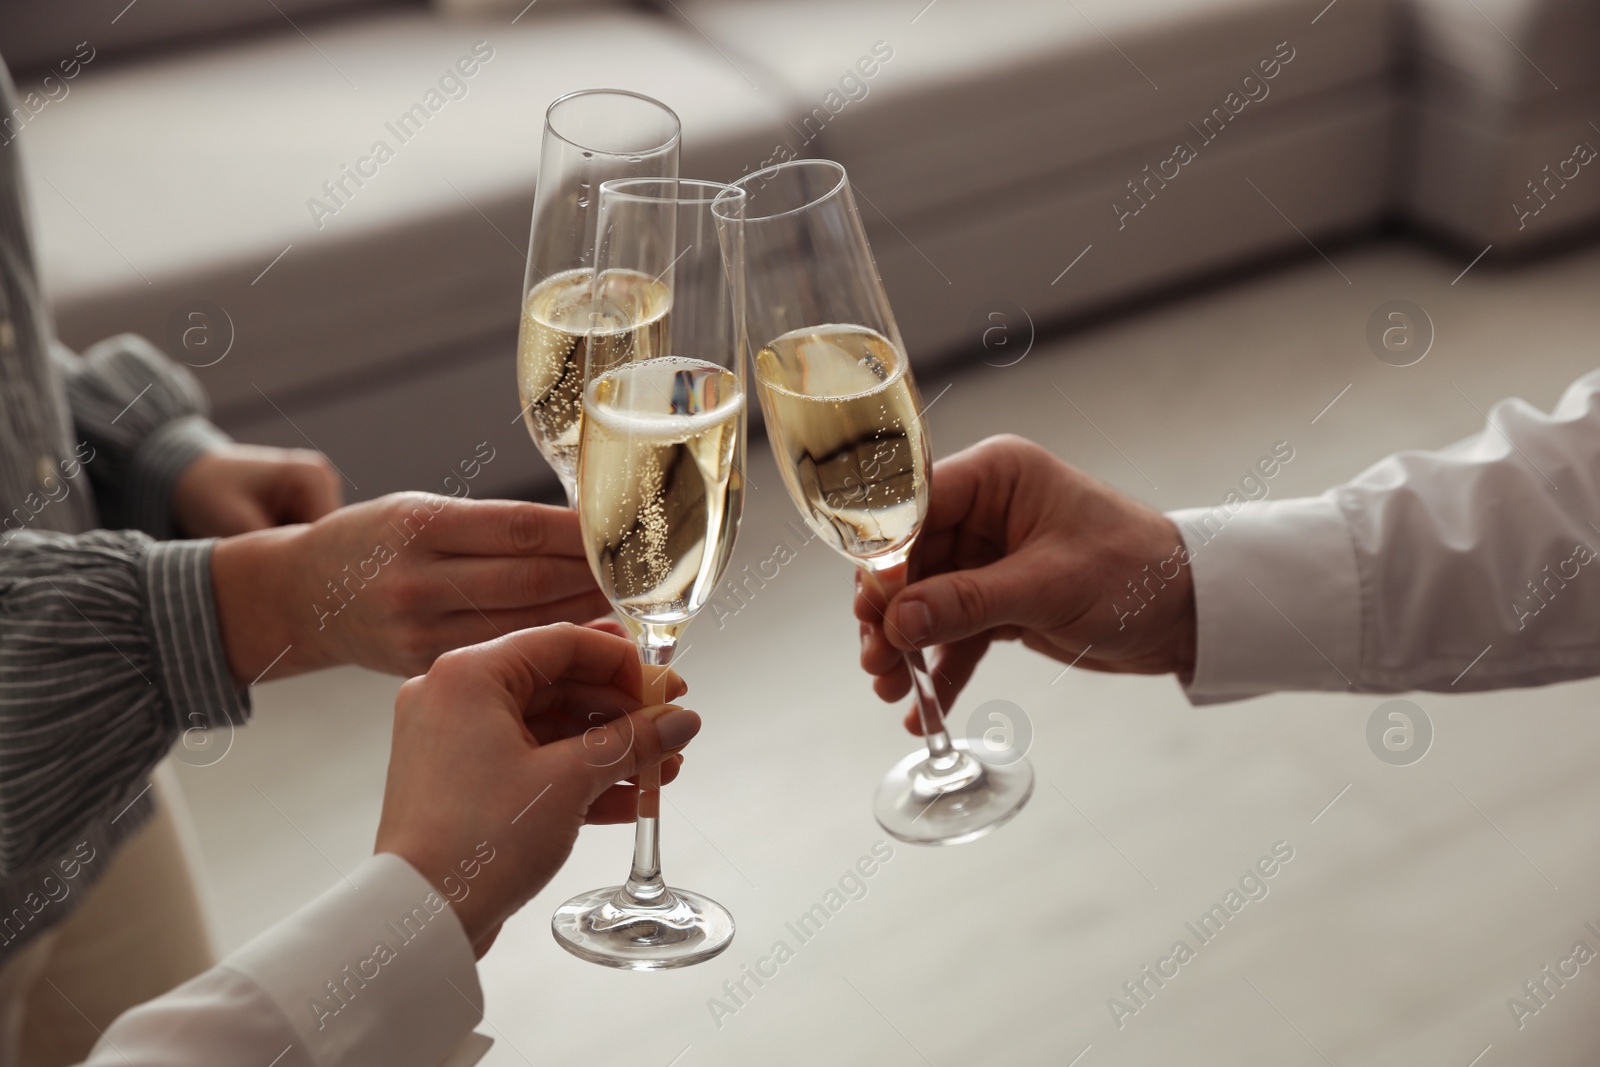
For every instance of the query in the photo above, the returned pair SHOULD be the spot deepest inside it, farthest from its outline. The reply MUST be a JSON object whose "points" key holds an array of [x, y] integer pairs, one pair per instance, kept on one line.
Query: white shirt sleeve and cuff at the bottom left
{"points": [[375, 972]]}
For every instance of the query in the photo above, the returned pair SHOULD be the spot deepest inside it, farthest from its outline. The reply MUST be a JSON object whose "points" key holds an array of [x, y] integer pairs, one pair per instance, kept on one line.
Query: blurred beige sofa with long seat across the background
{"points": [[209, 172]]}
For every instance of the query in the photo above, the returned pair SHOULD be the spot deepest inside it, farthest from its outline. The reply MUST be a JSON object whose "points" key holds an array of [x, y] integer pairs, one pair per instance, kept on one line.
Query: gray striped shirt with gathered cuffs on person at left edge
{"points": [[110, 645]]}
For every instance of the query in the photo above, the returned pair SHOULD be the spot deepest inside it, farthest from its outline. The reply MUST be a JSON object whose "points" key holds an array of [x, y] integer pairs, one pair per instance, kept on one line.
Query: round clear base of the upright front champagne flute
{"points": [[606, 927]]}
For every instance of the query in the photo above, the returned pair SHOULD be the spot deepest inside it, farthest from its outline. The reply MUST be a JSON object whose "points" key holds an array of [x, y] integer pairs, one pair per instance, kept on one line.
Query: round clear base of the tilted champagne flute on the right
{"points": [[927, 805]]}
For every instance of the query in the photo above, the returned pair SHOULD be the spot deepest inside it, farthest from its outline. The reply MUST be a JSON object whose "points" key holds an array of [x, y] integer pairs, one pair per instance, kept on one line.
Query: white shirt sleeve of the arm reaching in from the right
{"points": [[1465, 569]]}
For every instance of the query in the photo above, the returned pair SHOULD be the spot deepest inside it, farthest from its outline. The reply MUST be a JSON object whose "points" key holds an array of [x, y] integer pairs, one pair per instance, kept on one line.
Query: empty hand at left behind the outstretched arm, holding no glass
{"points": [[238, 489]]}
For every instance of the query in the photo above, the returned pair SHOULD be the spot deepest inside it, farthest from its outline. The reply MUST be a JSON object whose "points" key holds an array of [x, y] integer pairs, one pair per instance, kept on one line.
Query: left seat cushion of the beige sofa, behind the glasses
{"points": [[188, 178]]}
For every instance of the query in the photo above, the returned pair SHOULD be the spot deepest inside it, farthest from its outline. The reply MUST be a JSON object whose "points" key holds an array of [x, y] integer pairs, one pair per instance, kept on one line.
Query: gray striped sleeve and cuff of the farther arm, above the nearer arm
{"points": [[145, 417]]}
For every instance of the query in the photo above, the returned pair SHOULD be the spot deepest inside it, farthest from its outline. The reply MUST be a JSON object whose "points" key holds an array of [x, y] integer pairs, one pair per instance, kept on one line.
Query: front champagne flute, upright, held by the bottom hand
{"points": [[660, 495]]}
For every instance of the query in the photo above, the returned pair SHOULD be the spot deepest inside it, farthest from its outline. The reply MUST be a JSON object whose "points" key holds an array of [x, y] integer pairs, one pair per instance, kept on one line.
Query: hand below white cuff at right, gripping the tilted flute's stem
{"points": [[1022, 546]]}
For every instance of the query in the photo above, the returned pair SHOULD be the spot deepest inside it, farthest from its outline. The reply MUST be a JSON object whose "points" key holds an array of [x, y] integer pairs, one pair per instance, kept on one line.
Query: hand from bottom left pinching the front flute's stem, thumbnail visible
{"points": [[503, 751]]}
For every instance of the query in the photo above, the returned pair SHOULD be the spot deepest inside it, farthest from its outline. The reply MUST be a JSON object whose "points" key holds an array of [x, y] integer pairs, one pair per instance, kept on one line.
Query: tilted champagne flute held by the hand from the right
{"points": [[847, 431]]}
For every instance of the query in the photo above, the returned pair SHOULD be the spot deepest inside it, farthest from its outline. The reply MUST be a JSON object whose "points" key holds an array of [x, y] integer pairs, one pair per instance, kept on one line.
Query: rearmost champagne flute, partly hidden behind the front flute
{"points": [[590, 138]]}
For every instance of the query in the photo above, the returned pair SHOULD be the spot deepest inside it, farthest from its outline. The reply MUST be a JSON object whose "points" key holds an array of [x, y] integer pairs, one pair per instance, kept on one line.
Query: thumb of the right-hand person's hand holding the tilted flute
{"points": [[958, 605]]}
